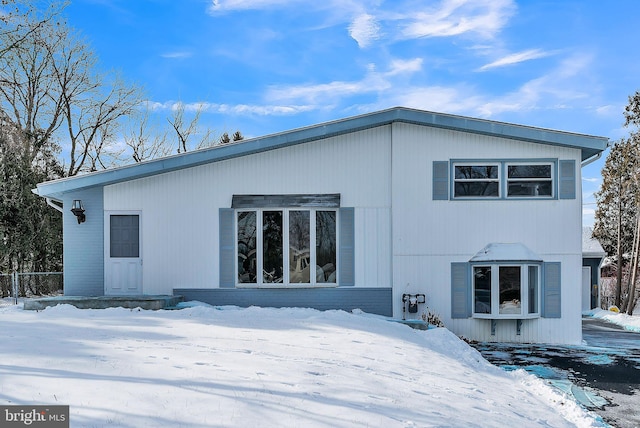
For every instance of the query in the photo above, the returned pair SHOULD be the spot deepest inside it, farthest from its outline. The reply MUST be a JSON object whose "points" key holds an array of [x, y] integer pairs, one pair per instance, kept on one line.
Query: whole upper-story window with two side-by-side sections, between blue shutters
{"points": [[503, 180]]}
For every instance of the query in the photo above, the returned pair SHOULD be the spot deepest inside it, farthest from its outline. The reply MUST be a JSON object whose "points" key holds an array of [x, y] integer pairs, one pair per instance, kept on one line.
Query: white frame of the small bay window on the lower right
{"points": [[495, 290]]}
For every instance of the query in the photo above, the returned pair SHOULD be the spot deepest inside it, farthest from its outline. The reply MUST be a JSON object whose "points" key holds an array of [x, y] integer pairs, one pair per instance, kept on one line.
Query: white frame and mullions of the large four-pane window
{"points": [[285, 247]]}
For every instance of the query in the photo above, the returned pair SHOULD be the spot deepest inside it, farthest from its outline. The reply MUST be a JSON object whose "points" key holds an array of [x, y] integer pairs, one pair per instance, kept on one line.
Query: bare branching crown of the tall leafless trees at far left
{"points": [[49, 83]]}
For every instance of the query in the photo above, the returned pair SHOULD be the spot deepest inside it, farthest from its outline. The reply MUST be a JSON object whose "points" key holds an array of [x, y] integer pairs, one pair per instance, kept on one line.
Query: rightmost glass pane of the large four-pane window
{"points": [[325, 246]]}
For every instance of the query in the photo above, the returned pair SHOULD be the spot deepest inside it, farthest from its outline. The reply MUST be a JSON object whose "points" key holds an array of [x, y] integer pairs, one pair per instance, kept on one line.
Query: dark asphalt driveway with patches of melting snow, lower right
{"points": [[603, 374]]}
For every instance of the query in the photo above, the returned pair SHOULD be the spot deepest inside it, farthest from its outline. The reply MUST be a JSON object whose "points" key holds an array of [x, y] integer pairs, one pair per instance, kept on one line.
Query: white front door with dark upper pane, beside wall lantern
{"points": [[123, 258]]}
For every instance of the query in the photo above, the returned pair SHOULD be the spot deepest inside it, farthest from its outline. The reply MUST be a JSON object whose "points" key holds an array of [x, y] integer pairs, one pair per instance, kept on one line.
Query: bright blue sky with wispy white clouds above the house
{"points": [[265, 66]]}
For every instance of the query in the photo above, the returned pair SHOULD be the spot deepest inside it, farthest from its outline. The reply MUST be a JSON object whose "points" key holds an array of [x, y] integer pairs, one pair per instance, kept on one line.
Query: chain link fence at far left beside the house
{"points": [[30, 284]]}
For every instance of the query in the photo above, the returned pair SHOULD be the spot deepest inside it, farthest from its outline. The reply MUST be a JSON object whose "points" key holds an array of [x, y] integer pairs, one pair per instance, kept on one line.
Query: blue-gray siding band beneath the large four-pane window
{"points": [[371, 300]]}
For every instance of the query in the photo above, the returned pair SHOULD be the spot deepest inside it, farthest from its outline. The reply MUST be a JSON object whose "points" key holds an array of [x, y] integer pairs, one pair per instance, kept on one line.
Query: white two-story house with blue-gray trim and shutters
{"points": [[482, 217]]}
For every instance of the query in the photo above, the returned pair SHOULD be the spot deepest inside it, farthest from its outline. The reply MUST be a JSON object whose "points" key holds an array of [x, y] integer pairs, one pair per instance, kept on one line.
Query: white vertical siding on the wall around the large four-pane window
{"points": [[182, 208]]}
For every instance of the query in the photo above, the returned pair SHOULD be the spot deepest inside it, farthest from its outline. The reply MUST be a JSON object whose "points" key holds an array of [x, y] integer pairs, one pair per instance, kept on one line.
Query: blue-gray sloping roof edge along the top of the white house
{"points": [[589, 145]]}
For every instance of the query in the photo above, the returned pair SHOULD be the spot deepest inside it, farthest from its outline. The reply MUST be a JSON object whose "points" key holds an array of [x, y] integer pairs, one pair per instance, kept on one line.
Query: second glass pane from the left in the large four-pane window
{"points": [[272, 246]]}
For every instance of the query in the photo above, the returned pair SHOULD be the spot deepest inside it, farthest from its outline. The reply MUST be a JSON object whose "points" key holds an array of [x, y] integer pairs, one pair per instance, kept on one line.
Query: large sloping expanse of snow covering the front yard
{"points": [[203, 366]]}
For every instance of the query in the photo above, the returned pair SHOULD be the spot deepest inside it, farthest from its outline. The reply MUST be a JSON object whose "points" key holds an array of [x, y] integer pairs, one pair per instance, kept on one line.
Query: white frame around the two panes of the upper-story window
{"points": [[503, 180]]}
